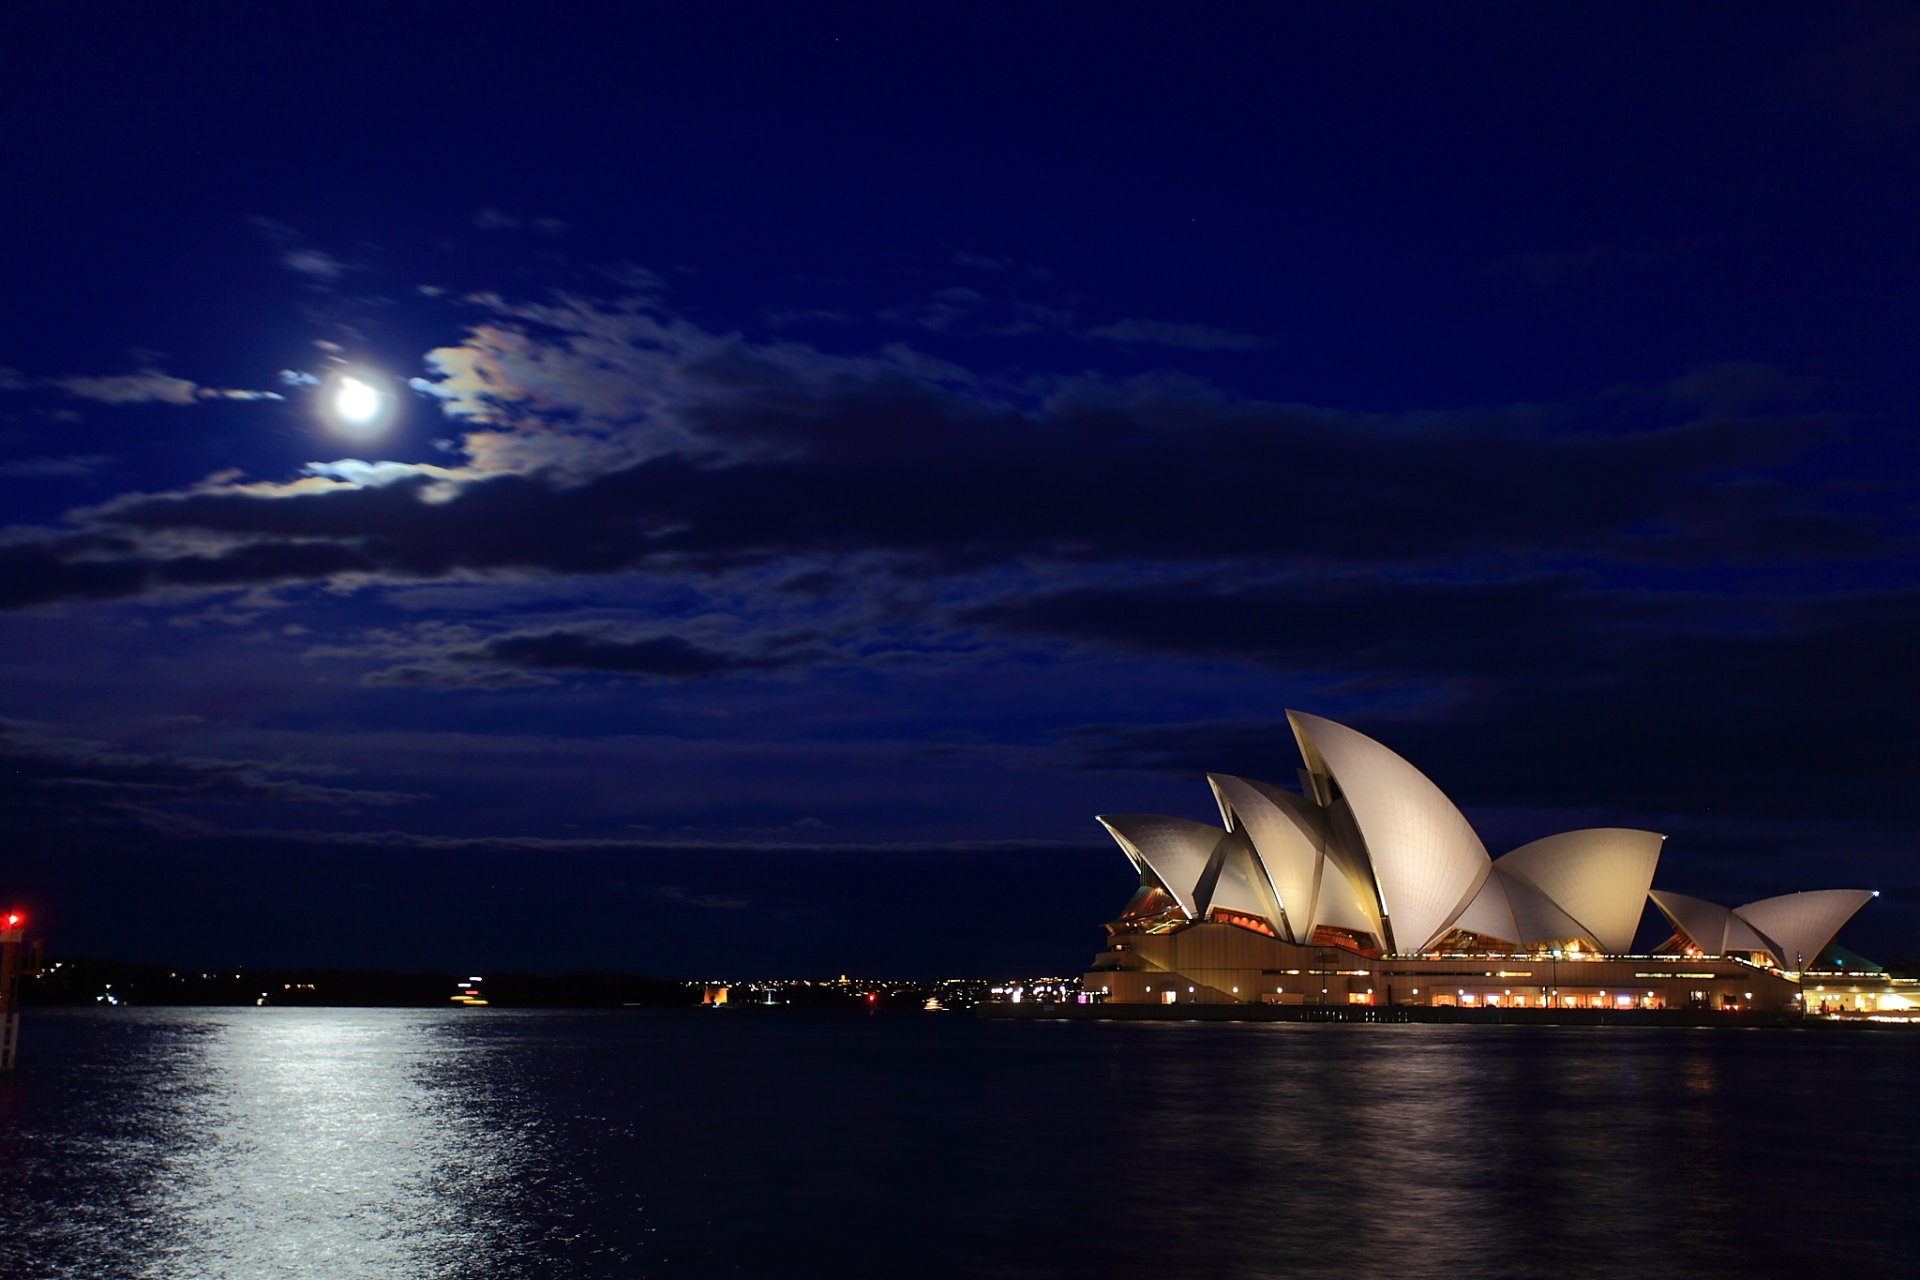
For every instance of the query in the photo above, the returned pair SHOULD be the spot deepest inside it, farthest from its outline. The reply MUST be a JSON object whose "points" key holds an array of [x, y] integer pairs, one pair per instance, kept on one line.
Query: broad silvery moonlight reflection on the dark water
{"points": [[329, 1145]]}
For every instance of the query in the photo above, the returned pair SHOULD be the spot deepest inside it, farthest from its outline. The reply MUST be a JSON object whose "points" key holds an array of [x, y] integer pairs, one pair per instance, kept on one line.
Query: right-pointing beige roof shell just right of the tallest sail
{"points": [[1598, 876]]}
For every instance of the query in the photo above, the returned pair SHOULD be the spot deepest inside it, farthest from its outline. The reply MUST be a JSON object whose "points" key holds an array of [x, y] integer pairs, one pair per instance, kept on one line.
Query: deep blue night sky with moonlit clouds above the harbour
{"points": [[828, 454]]}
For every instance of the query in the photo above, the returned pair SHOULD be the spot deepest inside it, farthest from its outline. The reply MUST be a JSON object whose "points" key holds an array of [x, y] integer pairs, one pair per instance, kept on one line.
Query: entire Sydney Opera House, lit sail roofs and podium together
{"points": [[1368, 888]]}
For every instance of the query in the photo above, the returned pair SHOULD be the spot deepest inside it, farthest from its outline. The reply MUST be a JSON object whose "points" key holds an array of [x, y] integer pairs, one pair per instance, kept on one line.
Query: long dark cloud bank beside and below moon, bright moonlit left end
{"points": [[610, 437]]}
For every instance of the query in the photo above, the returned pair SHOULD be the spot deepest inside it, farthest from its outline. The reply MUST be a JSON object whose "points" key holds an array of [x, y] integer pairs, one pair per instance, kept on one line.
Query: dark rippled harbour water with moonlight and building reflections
{"points": [[402, 1145]]}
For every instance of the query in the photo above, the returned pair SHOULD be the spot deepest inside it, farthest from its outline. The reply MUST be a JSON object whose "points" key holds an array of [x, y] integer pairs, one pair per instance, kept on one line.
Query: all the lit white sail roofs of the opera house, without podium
{"points": [[1376, 849]]}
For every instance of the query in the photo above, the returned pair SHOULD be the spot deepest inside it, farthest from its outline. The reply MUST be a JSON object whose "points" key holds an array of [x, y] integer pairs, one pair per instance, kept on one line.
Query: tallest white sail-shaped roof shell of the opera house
{"points": [[1426, 857]]}
